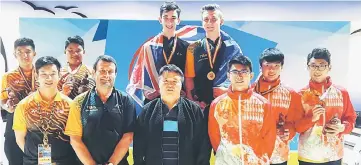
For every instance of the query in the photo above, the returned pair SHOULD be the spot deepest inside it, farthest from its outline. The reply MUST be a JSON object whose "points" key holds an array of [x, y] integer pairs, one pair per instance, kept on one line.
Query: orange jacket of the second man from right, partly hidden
{"points": [[284, 100]]}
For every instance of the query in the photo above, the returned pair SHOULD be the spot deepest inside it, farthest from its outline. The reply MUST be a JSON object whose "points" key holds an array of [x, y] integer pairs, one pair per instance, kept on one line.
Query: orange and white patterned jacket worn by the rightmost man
{"points": [[314, 146]]}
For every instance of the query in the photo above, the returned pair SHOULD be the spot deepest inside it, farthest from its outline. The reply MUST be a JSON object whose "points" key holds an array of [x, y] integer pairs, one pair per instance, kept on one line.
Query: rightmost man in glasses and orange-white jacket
{"points": [[326, 117]]}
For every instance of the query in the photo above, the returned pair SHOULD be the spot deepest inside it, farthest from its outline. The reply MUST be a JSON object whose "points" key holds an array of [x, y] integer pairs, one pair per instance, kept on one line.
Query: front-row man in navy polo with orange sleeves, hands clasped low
{"points": [[101, 121]]}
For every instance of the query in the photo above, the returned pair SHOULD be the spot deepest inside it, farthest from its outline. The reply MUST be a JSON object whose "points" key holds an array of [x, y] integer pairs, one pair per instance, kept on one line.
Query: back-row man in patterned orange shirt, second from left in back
{"points": [[75, 76]]}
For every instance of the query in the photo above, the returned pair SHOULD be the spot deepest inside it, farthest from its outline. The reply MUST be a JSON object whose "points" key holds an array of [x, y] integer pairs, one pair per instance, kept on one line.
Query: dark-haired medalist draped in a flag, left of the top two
{"points": [[165, 48]]}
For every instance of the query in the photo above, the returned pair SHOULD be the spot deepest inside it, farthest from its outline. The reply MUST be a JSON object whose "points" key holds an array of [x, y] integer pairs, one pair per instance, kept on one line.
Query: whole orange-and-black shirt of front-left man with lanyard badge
{"points": [[36, 116]]}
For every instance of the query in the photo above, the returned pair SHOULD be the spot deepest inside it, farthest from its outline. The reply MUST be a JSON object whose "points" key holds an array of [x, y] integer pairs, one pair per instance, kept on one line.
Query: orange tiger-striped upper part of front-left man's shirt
{"points": [[27, 114]]}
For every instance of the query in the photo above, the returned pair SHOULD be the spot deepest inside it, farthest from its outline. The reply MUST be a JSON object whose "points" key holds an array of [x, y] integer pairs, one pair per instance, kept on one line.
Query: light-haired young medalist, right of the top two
{"points": [[207, 59]]}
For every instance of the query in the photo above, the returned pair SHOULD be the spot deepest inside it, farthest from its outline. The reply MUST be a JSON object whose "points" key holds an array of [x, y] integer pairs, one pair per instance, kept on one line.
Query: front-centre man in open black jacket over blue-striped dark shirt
{"points": [[171, 130]]}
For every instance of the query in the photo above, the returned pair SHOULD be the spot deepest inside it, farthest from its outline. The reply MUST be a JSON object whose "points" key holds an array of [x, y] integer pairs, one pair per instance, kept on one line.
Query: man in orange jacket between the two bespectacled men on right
{"points": [[283, 99]]}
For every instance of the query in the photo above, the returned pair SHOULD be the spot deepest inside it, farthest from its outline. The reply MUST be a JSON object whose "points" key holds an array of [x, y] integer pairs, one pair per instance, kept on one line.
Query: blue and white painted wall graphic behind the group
{"points": [[121, 38]]}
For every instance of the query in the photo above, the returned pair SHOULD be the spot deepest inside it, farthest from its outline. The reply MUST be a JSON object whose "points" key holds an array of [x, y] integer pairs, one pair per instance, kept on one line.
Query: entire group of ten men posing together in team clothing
{"points": [[200, 98]]}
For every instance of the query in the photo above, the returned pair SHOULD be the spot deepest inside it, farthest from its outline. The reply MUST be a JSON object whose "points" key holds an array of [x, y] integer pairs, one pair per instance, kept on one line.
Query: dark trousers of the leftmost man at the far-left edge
{"points": [[12, 151]]}
